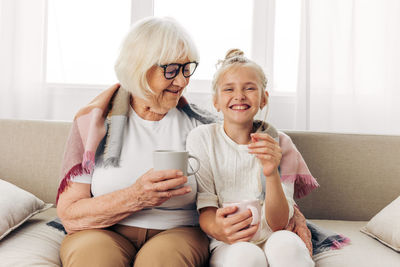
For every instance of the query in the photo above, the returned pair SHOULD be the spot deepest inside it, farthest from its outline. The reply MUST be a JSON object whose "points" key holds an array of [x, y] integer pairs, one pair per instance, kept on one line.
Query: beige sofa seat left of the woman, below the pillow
{"points": [[33, 244]]}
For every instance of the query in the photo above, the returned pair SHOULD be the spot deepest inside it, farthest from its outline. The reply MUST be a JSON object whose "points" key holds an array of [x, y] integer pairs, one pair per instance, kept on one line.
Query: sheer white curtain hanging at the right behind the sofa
{"points": [[349, 75]]}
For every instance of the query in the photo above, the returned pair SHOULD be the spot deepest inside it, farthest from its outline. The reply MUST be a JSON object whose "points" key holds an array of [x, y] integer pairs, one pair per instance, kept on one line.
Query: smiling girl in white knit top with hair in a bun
{"points": [[240, 159]]}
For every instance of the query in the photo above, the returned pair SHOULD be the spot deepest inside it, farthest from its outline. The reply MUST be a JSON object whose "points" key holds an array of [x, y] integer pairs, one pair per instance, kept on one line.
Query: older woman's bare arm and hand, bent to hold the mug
{"points": [[78, 210]]}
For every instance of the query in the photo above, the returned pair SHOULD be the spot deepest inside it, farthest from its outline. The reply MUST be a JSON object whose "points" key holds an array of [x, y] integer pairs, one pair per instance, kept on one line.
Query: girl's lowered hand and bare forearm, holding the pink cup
{"points": [[232, 229]]}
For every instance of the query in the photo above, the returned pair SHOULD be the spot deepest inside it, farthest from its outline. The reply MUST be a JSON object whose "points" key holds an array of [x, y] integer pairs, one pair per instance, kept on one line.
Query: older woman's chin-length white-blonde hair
{"points": [[151, 41]]}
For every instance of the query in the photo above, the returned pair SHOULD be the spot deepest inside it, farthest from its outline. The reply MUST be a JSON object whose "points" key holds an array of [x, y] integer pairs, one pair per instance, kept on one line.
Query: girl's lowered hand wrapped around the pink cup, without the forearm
{"points": [[234, 228]]}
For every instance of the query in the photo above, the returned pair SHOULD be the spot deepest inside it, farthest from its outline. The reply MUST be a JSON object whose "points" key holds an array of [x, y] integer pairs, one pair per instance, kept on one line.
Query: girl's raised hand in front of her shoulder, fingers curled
{"points": [[267, 150]]}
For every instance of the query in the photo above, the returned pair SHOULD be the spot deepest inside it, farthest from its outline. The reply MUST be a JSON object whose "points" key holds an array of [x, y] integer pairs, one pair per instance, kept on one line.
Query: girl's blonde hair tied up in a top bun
{"points": [[235, 58]]}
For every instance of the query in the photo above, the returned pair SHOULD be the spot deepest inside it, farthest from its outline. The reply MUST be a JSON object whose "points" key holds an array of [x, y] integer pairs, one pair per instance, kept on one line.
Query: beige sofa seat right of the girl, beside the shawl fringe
{"points": [[362, 251]]}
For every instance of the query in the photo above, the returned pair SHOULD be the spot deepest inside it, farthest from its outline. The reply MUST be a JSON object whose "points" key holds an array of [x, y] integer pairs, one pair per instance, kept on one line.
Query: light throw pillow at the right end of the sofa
{"points": [[384, 226]]}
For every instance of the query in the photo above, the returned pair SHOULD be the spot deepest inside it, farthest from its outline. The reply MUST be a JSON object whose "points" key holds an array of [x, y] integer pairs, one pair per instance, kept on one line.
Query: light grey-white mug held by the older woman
{"points": [[172, 159]]}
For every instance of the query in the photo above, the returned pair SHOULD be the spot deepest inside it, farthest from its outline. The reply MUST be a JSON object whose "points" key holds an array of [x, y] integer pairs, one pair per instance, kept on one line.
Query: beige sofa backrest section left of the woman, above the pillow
{"points": [[31, 154]]}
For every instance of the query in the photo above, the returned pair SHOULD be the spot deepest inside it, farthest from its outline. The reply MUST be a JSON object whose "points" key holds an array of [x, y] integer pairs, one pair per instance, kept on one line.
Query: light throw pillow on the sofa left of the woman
{"points": [[16, 206]]}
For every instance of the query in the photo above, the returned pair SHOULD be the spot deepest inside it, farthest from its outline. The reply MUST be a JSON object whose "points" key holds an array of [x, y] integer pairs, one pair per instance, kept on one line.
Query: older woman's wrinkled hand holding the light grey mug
{"points": [[155, 187]]}
